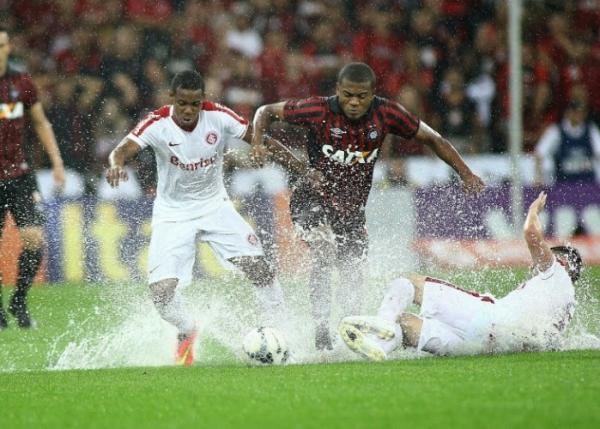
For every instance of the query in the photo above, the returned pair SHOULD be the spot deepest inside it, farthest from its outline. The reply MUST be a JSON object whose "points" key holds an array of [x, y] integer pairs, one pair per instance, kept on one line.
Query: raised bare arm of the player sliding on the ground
{"points": [[534, 236]]}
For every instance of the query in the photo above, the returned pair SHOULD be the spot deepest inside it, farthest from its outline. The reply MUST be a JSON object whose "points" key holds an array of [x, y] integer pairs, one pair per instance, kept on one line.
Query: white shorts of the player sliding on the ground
{"points": [[455, 321]]}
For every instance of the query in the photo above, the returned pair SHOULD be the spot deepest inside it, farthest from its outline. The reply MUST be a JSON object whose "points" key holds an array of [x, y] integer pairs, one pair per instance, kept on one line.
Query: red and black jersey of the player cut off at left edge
{"points": [[17, 95]]}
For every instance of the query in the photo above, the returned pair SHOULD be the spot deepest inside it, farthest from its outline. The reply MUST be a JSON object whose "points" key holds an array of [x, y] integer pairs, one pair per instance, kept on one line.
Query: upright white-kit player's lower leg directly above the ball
{"points": [[268, 290]]}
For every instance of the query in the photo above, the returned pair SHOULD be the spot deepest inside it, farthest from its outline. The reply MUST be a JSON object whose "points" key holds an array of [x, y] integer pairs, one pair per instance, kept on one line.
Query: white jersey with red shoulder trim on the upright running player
{"points": [[189, 163]]}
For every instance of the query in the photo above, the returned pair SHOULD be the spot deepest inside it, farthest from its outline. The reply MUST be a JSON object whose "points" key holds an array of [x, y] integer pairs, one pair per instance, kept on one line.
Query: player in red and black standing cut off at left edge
{"points": [[18, 188]]}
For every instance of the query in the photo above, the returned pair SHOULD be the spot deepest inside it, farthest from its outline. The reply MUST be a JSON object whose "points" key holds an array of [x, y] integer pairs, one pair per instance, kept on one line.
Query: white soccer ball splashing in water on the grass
{"points": [[266, 346]]}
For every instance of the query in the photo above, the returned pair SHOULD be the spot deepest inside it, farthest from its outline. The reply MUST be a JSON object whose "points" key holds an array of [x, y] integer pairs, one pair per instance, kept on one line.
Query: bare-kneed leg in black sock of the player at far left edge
{"points": [[32, 238]]}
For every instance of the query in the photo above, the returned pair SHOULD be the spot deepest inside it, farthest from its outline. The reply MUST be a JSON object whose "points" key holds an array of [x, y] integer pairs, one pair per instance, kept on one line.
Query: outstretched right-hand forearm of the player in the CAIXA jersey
{"points": [[446, 152]]}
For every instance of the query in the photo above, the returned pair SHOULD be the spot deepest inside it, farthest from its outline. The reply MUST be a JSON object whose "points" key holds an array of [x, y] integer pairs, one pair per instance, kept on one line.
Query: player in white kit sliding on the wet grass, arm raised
{"points": [[453, 321]]}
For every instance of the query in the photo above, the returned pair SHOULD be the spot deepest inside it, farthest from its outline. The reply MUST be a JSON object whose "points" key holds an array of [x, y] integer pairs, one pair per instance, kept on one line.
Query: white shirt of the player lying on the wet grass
{"points": [[535, 314]]}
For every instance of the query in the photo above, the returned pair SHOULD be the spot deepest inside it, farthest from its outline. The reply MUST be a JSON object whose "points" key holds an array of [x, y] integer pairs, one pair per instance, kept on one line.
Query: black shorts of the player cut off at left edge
{"points": [[20, 197]]}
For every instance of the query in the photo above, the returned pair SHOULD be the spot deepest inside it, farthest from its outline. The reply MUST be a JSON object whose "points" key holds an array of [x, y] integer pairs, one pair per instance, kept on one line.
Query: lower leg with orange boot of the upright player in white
{"points": [[170, 305]]}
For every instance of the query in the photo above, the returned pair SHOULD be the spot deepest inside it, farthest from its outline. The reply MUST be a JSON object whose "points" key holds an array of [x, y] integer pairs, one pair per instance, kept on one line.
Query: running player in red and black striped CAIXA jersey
{"points": [[346, 132]]}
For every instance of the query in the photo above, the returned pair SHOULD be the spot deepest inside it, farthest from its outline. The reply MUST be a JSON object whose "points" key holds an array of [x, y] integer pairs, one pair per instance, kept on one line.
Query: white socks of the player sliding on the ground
{"points": [[400, 295]]}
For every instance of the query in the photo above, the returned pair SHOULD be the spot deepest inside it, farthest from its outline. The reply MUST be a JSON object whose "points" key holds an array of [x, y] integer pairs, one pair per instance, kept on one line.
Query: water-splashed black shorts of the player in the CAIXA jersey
{"points": [[310, 212]]}
